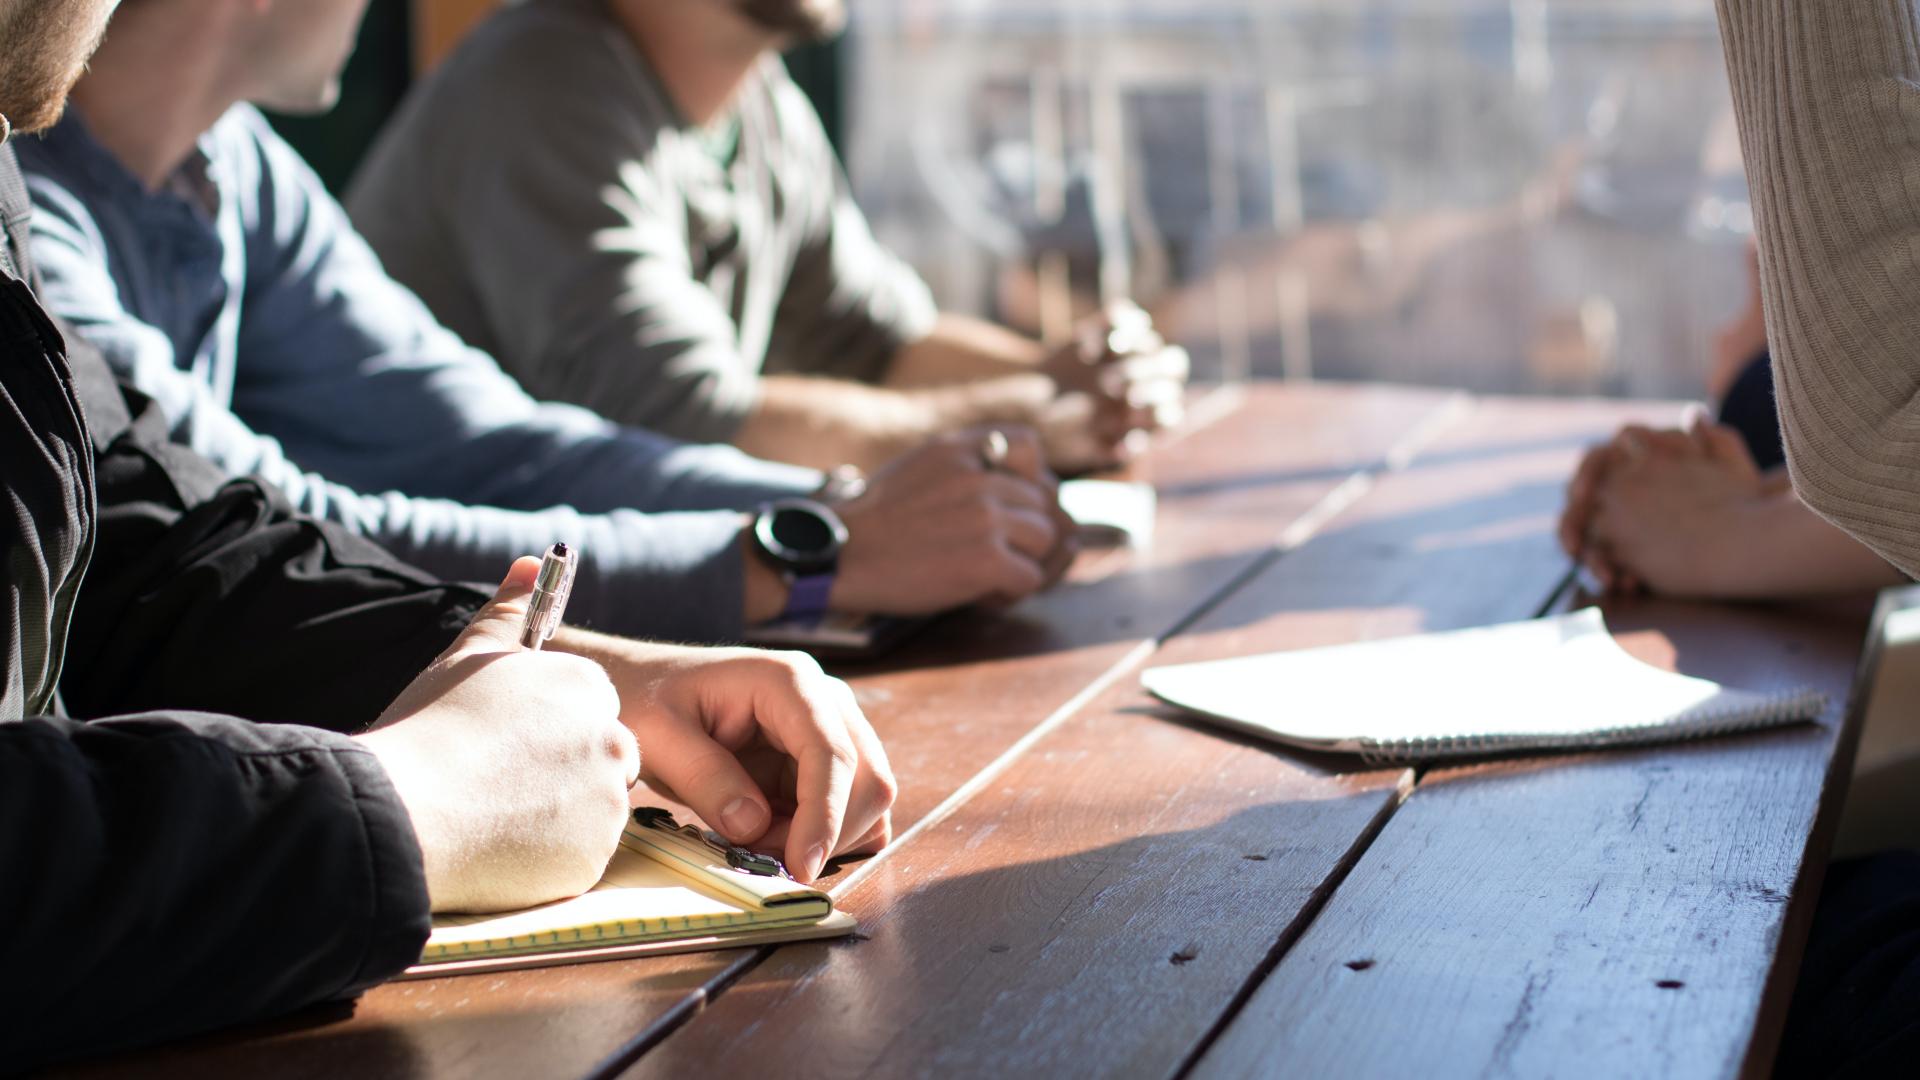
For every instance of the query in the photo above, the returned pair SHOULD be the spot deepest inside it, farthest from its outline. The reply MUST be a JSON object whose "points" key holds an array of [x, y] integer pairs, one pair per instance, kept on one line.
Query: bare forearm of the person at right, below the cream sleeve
{"points": [[1787, 552]]}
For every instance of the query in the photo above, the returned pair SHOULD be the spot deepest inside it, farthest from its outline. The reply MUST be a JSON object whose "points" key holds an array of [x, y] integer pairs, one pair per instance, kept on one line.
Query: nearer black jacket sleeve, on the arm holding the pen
{"points": [[164, 875]]}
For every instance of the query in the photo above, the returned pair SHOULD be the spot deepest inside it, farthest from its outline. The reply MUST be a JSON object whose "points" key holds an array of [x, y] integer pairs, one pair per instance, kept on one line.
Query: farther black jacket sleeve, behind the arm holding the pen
{"points": [[214, 595]]}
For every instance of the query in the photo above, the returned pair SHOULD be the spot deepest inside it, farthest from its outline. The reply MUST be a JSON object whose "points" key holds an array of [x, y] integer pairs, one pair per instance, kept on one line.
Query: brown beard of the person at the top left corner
{"points": [[43, 53]]}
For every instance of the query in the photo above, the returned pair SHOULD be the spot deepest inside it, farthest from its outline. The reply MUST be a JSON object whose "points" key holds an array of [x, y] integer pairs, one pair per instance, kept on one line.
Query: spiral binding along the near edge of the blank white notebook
{"points": [[1702, 722]]}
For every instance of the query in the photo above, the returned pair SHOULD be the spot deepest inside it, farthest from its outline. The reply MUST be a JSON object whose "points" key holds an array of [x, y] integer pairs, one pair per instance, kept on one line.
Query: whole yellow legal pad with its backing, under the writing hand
{"points": [[665, 891]]}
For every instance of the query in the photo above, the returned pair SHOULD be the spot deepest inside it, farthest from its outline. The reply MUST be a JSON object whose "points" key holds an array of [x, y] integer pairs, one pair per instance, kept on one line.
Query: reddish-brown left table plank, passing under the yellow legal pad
{"points": [[949, 704]]}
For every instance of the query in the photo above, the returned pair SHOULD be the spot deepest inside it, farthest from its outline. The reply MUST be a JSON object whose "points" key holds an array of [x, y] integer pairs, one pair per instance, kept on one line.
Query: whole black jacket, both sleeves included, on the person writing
{"points": [[176, 871]]}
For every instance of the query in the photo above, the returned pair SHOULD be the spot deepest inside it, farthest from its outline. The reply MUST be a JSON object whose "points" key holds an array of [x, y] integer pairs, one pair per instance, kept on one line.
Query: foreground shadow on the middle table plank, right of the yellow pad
{"points": [[1105, 962]]}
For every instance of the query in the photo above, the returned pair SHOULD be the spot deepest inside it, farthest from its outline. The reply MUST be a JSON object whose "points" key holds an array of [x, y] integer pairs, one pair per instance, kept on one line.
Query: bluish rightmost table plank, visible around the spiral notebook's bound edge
{"points": [[1610, 914]]}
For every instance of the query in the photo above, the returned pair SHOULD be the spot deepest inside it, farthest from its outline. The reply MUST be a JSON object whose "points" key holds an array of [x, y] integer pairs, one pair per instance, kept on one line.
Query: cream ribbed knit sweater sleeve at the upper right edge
{"points": [[1829, 105]]}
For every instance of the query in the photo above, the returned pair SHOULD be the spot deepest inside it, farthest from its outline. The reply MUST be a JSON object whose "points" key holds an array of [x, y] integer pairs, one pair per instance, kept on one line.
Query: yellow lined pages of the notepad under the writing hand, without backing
{"points": [[640, 898]]}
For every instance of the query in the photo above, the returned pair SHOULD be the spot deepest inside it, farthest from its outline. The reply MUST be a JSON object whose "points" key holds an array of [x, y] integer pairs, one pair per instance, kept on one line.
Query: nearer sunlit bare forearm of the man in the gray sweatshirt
{"points": [[828, 422]]}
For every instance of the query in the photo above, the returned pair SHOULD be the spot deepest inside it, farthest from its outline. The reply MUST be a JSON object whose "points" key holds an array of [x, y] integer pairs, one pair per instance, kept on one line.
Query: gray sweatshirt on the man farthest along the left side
{"points": [[552, 205]]}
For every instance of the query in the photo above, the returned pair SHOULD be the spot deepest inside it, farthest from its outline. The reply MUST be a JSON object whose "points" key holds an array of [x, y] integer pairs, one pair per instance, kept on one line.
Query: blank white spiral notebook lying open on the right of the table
{"points": [[1558, 683]]}
